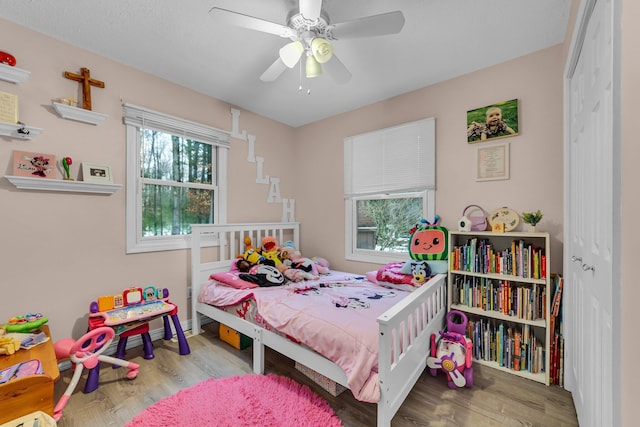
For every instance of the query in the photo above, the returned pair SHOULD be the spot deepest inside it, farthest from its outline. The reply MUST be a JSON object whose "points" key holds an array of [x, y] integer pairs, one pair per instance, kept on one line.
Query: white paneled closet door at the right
{"points": [[588, 245]]}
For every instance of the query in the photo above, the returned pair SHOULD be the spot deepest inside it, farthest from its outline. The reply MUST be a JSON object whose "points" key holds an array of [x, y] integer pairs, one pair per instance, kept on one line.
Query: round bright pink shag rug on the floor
{"points": [[246, 400]]}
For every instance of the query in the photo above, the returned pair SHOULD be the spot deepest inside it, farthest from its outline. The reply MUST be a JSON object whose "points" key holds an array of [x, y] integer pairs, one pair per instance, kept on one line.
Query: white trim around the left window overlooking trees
{"points": [[136, 243]]}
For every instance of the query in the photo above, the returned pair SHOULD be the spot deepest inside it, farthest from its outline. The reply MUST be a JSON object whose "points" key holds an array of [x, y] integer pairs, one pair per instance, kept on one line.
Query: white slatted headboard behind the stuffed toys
{"points": [[214, 247]]}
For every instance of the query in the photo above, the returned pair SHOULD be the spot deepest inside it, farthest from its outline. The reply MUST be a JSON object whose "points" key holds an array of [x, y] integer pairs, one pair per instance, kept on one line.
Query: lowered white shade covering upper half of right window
{"points": [[393, 160]]}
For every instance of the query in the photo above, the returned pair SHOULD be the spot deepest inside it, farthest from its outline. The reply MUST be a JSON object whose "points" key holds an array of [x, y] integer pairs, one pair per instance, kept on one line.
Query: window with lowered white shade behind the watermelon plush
{"points": [[389, 184]]}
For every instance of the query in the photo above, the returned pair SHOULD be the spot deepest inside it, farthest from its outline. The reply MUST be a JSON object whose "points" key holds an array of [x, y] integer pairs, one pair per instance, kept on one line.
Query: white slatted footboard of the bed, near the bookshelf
{"points": [[404, 342]]}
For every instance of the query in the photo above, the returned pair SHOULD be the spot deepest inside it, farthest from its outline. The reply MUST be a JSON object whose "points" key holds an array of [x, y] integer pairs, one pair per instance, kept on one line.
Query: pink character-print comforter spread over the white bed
{"points": [[335, 316]]}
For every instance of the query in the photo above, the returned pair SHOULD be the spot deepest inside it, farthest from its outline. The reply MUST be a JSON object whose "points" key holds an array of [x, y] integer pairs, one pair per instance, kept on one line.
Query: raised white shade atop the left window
{"points": [[141, 117]]}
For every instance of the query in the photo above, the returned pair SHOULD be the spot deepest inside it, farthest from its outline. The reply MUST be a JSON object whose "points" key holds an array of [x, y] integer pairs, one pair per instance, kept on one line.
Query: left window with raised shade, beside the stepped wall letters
{"points": [[176, 176]]}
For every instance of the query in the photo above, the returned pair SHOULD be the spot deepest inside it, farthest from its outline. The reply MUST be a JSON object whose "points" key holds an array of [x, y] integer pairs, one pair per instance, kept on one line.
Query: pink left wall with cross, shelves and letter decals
{"points": [[61, 250]]}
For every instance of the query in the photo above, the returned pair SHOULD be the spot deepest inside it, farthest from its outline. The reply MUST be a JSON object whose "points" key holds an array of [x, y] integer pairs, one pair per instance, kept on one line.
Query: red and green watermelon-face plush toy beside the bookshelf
{"points": [[429, 243]]}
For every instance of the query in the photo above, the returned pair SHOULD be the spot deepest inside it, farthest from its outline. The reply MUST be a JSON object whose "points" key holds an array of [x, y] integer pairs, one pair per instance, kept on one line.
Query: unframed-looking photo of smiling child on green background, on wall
{"points": [[492, 122]]}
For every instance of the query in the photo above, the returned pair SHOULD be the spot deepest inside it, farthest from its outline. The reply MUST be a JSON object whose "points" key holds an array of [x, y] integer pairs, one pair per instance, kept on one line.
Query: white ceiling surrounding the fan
{"points": [[178, 41]]}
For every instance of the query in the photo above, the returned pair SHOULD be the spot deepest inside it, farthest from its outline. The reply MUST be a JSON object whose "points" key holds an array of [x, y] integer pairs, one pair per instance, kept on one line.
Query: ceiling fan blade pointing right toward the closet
{"points": [[369, 26]]}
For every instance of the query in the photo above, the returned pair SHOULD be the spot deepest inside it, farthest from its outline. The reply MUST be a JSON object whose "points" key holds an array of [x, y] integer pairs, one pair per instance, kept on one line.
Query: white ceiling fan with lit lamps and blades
{"points": [[311, 33]]}
